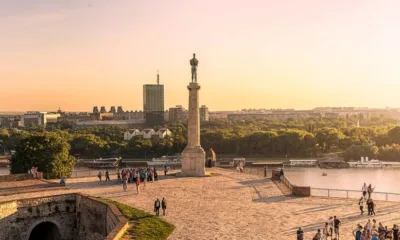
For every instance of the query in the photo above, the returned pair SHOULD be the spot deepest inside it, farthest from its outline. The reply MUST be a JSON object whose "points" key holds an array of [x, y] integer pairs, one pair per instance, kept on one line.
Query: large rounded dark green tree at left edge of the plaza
{"points": [[47, 151]]}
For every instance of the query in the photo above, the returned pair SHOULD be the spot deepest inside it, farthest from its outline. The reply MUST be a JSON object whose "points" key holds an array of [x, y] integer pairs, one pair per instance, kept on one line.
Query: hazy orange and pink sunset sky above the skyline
{"points": [[252, 54]]}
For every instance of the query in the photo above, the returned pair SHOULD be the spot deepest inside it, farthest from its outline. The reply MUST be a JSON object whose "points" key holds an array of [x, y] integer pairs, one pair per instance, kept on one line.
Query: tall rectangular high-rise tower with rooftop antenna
{"points": [[153, 102]]}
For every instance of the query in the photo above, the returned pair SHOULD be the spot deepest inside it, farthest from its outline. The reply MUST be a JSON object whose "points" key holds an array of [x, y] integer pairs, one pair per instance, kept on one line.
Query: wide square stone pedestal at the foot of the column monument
{"points": [[193, 162]]}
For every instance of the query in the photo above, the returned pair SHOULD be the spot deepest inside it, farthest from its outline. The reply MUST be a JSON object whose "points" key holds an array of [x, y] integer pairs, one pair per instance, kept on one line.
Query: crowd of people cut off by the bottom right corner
{"points": [[373, 231]]}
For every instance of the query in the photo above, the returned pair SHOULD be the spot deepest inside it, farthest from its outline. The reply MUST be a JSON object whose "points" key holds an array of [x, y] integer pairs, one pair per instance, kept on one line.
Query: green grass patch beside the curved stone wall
{"points": [[145, 226]]}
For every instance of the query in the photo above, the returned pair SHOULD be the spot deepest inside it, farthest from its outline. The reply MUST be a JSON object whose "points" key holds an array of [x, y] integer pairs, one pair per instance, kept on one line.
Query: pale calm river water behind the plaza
{"points": [[384, 180]]}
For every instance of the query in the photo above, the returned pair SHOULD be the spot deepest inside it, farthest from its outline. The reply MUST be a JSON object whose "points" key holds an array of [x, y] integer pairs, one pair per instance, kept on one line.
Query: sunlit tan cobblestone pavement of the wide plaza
{"points": [[232, 206]]}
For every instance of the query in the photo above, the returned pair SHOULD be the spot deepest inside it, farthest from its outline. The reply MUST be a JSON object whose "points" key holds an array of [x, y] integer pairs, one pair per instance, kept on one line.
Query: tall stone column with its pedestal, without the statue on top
{"points": [[193, 156]]}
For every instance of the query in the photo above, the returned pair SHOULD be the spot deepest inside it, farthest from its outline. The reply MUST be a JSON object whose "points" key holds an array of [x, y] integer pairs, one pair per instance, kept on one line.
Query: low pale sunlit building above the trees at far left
{"points": [[34, 119]]}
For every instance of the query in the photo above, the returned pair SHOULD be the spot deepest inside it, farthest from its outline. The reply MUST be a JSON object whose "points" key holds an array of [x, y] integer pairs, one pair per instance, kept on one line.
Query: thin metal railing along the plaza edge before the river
{"points": [[341, 193]]}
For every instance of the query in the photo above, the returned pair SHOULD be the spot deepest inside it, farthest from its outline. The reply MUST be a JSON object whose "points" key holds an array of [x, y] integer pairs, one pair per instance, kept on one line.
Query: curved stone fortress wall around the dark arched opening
{"points": [[76, 216]]}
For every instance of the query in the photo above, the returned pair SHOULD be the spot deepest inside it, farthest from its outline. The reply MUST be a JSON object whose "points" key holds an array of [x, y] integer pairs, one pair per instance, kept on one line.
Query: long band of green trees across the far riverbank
{"points": [[378, 138]]}
